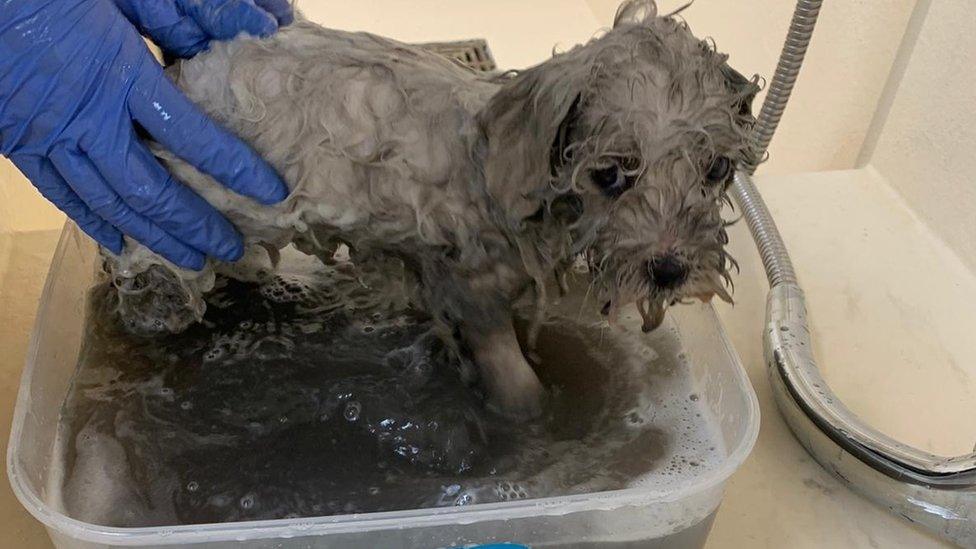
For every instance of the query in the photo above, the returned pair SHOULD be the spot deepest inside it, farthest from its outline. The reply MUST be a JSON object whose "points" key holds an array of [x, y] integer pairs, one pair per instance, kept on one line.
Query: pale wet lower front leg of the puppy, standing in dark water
{"points": [[513, 388]]}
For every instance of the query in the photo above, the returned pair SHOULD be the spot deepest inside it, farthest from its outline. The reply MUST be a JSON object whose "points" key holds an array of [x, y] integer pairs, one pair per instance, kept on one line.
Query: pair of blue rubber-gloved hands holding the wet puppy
{"points": [[75, 81]]}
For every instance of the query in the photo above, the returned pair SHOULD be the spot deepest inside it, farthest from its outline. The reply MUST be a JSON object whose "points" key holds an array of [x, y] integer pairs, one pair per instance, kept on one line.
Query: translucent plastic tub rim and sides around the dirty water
{"points": [[633, 517]]}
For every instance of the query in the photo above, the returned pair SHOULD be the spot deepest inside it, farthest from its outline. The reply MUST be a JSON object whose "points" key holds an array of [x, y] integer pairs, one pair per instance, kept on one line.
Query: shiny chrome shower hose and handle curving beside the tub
{"points": [[934, 491]]}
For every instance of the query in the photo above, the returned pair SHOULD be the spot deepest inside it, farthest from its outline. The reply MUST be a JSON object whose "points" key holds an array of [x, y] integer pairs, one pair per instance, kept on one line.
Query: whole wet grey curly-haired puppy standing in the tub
{"points": [[483, 186]]}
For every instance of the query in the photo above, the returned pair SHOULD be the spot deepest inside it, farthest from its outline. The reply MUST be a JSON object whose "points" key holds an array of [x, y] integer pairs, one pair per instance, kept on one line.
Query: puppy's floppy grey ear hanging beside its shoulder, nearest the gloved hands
{"points": [[529, 125]]}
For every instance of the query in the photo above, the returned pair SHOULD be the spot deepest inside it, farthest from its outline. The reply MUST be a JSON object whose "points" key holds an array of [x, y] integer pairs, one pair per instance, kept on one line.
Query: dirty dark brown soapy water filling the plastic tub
{"points": [[273, 408]]}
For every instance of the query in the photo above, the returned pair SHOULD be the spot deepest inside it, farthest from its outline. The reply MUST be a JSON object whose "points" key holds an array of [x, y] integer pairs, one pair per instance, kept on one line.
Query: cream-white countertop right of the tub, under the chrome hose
{"points": [[888, 352]]}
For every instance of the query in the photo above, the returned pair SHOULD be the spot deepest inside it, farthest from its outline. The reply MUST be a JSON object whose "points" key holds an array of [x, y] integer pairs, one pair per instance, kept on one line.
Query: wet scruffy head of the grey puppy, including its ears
{"points": [[627, 145]]}
